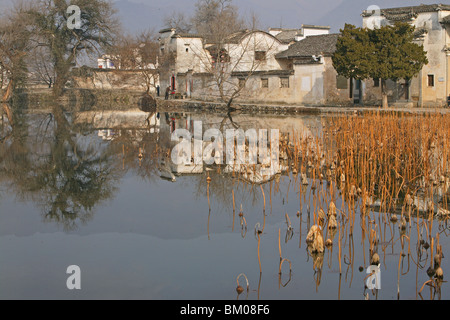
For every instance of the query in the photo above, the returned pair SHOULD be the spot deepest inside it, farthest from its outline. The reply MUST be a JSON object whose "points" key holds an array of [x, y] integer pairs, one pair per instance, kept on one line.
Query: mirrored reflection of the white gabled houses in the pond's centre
{"points": [[253, 173]]}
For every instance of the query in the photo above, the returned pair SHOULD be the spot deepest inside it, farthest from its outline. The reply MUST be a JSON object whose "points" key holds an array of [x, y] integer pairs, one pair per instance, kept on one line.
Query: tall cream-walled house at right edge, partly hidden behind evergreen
{"points": [[431, 86]]}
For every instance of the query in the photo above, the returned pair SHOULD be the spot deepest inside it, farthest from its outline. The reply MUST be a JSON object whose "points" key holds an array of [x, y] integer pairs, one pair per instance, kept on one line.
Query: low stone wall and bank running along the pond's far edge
{"points": [[76, 100]]}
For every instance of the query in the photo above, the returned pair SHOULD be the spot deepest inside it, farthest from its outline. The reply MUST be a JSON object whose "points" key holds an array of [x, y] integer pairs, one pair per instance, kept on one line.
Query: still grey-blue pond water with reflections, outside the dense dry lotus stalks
{"points": [[92, 190]]}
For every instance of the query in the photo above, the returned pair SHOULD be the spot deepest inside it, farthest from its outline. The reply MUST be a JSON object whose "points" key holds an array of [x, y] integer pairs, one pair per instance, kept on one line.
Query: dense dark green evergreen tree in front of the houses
{"points": [[388, 52]]}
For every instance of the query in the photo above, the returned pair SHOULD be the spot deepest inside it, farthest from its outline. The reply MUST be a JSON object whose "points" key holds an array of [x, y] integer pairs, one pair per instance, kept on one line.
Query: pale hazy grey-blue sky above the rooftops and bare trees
{"points": [[138, 15]]}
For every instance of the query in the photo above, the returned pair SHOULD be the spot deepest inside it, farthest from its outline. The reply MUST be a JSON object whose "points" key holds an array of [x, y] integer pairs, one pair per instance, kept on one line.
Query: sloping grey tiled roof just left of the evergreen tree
{"points": [[312, 45]]}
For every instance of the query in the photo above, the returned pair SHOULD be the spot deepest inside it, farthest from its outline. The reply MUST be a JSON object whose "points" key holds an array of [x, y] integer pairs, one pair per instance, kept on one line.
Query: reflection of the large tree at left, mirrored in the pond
{"points": [[74, 178]]}
